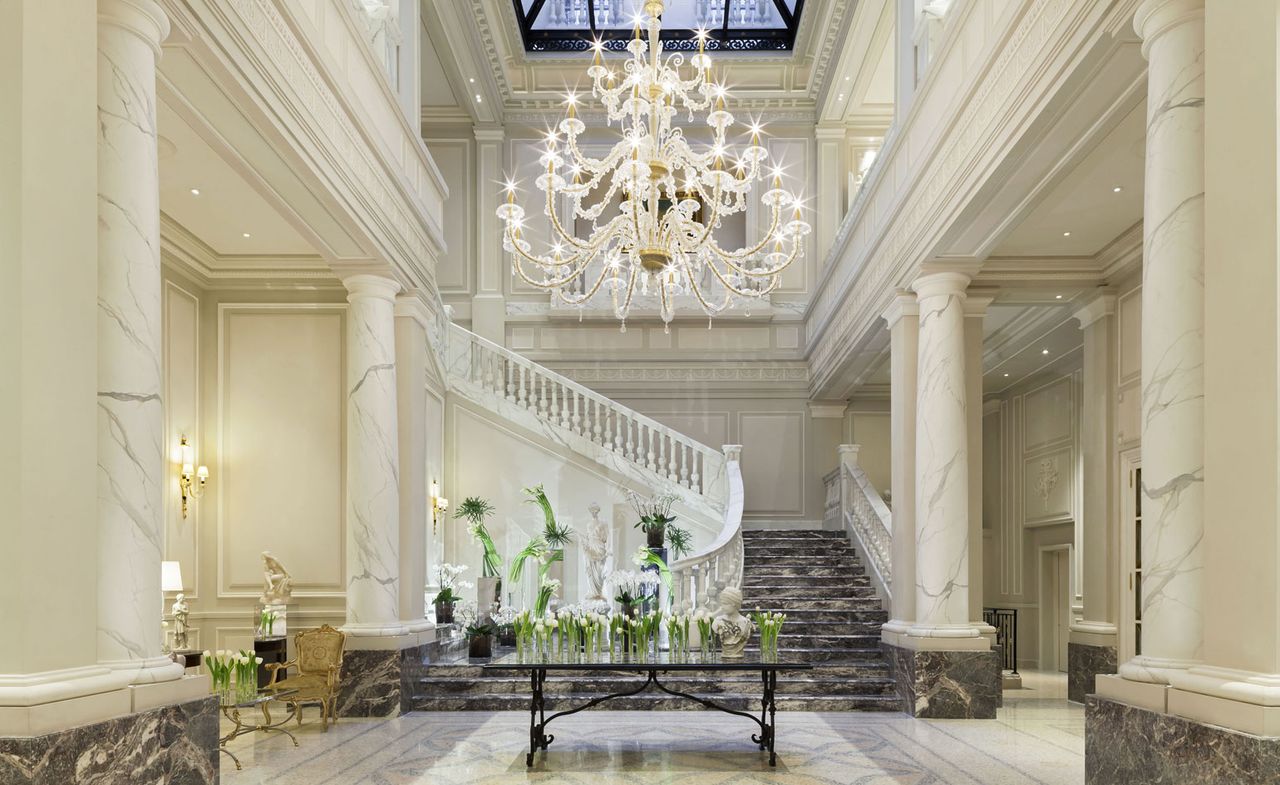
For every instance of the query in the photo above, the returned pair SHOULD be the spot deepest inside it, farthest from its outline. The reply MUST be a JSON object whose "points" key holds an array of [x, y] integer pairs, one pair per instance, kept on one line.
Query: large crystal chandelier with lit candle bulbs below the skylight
{"points": [[655, 202]]}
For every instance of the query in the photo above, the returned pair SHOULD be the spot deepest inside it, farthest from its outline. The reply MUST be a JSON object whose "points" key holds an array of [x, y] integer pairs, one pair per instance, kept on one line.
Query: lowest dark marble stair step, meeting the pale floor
{"points": [[650, 701]]}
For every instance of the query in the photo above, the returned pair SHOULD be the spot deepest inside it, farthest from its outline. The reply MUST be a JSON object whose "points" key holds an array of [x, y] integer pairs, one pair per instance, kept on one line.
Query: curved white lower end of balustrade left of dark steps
{"points": [[698, 579]]}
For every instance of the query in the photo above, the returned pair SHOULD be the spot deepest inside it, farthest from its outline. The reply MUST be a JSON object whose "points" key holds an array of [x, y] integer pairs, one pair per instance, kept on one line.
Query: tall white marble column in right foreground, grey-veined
{"points": [[1173, 341]]}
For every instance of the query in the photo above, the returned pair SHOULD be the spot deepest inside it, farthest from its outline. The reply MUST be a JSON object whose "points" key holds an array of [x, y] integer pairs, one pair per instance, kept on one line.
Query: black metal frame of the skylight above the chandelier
{"points": [[720, 39]]}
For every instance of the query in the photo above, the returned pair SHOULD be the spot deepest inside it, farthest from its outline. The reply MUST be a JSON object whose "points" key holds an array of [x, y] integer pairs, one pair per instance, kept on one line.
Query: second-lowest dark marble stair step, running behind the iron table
{"points": [[746, 684]]}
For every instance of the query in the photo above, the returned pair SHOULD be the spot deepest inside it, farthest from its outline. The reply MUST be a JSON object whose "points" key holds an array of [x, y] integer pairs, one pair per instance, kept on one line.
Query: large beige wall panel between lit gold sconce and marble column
{"points": [[282, 448]]}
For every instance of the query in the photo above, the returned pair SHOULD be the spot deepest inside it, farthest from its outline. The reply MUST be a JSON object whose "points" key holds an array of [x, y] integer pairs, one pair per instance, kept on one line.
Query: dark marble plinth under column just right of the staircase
{"points": [[947, 686]]}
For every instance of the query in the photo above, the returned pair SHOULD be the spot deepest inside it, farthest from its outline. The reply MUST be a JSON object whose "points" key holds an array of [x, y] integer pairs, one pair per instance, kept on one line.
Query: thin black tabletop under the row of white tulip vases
{"points": [[666, 661]]}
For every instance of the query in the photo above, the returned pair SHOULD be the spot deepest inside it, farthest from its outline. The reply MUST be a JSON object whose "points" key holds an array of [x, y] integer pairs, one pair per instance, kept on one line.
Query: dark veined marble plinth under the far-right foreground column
{"points": [[1131, 746]]}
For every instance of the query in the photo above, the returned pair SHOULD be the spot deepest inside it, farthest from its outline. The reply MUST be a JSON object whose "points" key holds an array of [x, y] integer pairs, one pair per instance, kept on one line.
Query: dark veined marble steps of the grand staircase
{"points": [[834, 620]]}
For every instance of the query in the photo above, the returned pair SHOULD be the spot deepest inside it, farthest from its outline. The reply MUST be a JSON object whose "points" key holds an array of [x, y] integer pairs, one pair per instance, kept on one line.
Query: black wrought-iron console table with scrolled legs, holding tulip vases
{"points": [[648, 667]]}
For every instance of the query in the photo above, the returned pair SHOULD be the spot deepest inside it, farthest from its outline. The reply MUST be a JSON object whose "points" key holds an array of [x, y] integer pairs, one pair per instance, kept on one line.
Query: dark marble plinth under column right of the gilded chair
{"points": [[381, 683]]}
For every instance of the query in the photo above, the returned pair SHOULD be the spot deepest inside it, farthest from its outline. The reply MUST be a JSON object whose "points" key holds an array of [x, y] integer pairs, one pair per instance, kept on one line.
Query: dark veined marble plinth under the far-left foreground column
{"points": [[170, 746]]}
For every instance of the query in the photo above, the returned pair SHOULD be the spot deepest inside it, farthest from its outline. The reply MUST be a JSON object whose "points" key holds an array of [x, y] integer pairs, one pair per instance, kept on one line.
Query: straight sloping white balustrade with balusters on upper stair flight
{"points": [[621, 431]]}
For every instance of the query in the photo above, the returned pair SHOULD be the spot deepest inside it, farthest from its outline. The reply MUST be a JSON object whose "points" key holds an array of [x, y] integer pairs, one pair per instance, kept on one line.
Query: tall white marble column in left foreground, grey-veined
{"points": [[131, 460]]}
